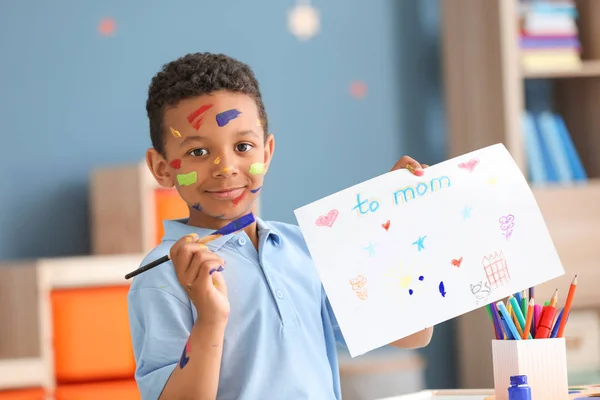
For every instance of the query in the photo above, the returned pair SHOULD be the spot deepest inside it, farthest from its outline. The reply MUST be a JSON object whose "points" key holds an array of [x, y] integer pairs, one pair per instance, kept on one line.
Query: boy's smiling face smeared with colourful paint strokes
{"points": [[216, 156]]}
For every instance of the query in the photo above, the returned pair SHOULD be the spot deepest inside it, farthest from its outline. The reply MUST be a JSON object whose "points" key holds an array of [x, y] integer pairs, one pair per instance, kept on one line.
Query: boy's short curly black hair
{"points": [[195, 75]]}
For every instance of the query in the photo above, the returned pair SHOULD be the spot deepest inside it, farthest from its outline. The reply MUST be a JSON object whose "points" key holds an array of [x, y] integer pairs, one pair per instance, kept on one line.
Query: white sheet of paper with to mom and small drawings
{"points": [[399, 253]]}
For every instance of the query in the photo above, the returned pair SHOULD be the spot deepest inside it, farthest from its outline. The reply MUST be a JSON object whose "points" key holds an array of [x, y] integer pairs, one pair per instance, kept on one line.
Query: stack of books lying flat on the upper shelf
{"points": [[549, 37]]}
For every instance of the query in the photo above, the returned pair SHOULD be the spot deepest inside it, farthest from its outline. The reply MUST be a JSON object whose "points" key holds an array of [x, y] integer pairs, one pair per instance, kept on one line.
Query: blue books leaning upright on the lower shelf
{"points": [[551, 154]]}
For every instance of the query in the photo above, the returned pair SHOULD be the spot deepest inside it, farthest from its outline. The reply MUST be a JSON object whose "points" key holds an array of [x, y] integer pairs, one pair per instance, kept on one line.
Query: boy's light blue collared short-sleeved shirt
{"points": [[280, 340]]}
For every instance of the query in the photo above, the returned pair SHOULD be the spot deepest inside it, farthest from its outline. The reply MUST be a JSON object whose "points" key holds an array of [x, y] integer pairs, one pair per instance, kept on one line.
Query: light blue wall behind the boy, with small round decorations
{"points": [[72, 100]]}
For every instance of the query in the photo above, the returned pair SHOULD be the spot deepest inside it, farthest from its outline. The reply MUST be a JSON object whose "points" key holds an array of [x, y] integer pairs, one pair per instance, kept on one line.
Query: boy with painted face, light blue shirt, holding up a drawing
{"points": [[244, 316]]}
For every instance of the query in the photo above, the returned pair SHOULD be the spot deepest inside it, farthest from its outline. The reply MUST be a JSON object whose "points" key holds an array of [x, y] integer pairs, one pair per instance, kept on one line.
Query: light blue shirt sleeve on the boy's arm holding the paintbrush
{"points": [[160, 325]]}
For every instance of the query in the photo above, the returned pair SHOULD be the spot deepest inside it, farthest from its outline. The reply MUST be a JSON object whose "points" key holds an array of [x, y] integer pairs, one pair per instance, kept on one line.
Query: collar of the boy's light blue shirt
{"points": [[176, 229]]}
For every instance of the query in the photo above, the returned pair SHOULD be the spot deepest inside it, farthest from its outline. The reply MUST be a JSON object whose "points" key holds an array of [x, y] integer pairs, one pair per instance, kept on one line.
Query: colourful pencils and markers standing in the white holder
{"points": [[520, 318]]}
